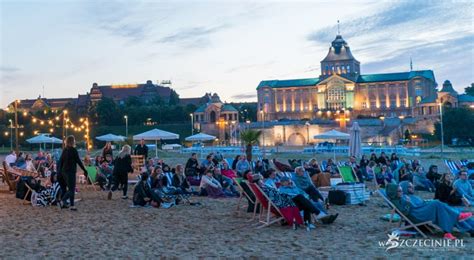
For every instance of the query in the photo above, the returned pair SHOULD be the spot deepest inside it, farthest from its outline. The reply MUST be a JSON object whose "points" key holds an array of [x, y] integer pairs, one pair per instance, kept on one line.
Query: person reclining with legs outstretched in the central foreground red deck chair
{"points": [[303, 203]]}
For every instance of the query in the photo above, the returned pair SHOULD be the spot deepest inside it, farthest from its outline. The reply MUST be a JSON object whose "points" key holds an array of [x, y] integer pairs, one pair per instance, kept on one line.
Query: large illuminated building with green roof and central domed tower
{"points": [[341, 86]]}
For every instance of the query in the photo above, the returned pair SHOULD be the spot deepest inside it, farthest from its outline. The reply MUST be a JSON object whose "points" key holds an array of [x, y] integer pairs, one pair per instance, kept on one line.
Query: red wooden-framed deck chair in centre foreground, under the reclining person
{"points": [[270, 208]]}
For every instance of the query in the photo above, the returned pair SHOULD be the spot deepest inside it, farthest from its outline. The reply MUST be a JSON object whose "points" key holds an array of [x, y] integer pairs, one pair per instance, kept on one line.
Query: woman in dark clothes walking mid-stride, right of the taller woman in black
{"points": [[122, 166]]}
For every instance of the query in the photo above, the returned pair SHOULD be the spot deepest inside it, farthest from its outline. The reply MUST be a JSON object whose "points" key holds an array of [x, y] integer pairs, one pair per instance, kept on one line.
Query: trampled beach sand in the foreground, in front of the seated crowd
{"points": [[111, 229]]}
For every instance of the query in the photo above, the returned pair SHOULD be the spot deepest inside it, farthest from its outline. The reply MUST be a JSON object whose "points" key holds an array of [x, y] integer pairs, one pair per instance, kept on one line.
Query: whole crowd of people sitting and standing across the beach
{"points": [[295, 183]]}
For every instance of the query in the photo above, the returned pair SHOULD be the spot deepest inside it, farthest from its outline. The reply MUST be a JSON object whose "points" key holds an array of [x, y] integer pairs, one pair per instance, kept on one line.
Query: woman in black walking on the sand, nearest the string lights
{"points": [[68, 167]]}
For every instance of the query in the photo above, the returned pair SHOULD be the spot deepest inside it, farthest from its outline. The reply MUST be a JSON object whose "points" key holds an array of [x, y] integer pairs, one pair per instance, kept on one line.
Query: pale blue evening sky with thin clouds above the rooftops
{"points": [[226, 47]]}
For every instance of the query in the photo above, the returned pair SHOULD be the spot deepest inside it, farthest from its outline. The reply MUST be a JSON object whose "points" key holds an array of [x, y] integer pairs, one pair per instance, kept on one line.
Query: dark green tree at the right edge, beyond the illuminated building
{"points": [[457, 123]]}
